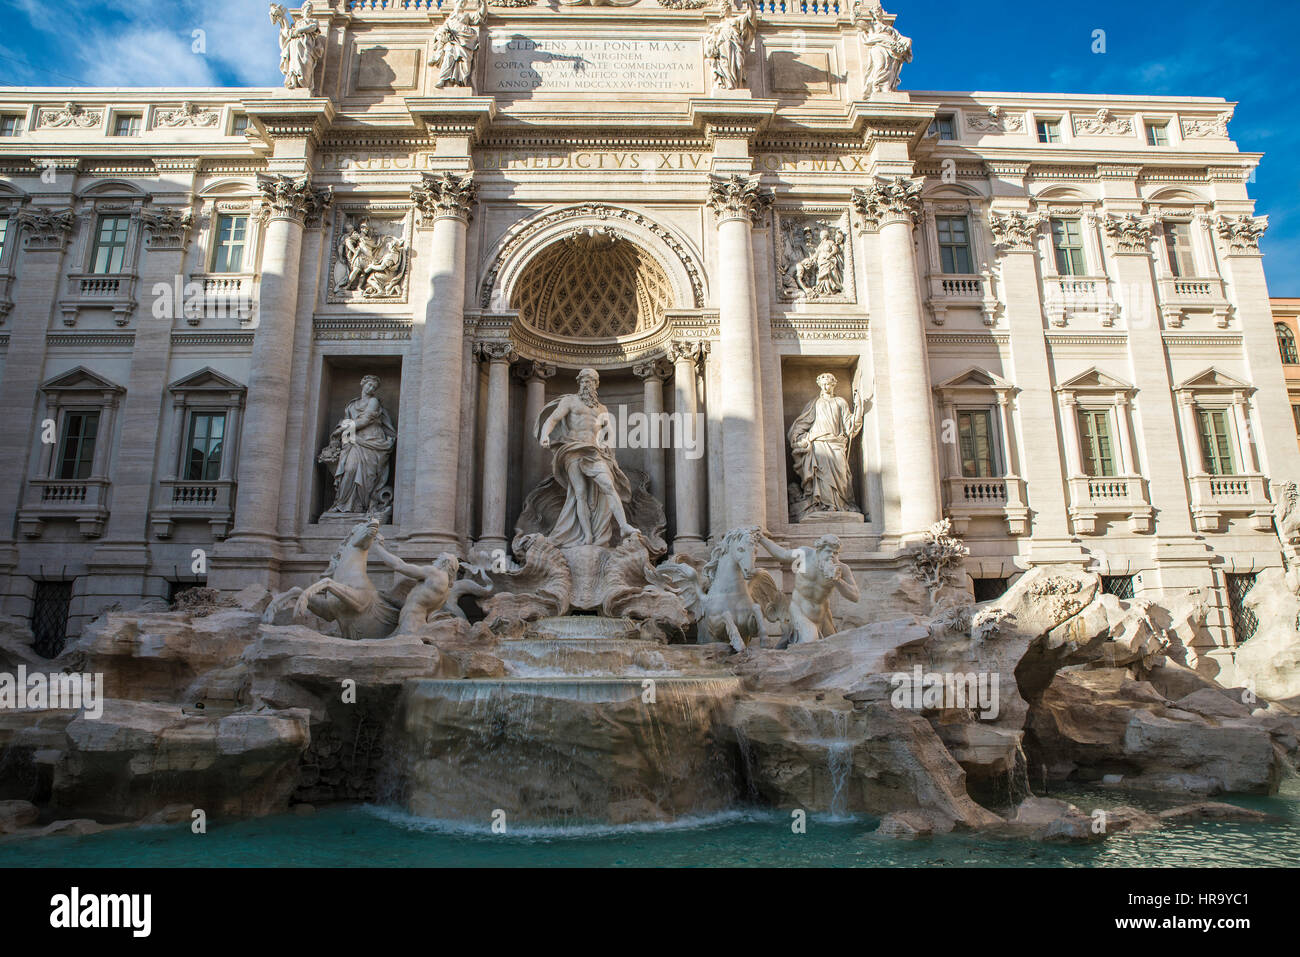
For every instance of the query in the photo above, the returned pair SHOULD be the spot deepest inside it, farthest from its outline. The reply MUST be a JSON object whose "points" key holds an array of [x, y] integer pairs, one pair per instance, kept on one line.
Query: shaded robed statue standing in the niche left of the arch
{"points": [[361, 449]]}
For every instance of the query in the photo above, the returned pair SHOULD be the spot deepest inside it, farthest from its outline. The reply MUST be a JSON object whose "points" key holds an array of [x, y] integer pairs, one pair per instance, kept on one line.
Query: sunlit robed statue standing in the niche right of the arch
{"points": [[820, 444]]}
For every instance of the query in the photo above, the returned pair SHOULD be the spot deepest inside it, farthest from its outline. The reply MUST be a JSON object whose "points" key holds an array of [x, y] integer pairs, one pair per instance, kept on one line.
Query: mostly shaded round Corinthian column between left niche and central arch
{"points": [[447, 202]]}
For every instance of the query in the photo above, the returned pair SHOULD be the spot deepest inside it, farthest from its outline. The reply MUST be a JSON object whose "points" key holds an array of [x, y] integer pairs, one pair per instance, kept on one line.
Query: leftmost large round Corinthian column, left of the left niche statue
{"points": [[287, 205]]}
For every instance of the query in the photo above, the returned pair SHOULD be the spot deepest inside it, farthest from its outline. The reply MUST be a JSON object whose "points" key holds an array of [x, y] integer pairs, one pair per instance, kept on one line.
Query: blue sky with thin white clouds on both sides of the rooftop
{"points": [[1195, 49]]}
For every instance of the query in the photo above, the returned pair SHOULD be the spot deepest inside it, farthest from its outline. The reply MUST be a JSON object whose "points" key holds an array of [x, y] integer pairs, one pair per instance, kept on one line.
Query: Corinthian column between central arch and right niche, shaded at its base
{"points": [[739, 202]]}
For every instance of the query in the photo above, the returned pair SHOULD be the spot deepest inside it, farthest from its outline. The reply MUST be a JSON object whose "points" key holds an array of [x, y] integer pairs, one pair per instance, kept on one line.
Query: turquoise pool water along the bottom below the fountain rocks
{"points": [[367, 837]]}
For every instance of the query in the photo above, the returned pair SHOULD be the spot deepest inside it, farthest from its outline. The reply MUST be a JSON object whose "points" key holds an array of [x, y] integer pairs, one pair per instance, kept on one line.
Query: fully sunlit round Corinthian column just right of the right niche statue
{"points": [[894, 207]]}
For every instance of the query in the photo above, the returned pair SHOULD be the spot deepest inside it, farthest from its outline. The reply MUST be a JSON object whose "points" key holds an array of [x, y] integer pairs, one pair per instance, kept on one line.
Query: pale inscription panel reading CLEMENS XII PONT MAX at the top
{"points": [[580, 64]]}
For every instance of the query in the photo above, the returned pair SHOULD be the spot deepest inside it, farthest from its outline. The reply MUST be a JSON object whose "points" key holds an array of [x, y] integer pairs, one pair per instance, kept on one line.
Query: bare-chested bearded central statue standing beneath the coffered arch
{"points": [[586, 469]]}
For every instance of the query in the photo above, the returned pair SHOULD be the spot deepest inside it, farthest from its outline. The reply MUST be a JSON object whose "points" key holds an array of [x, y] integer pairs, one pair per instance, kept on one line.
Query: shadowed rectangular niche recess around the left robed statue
{"points": [[341, 383]]}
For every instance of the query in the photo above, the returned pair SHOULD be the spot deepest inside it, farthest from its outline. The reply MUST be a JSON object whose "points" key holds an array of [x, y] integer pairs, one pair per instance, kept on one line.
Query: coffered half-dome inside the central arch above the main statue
{"points": [[595, 285]]}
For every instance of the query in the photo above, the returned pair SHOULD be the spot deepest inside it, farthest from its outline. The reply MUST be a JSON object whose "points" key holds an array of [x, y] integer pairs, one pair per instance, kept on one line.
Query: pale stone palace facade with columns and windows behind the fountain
{"points": [[236, 321]]}
